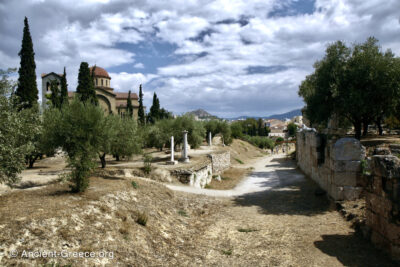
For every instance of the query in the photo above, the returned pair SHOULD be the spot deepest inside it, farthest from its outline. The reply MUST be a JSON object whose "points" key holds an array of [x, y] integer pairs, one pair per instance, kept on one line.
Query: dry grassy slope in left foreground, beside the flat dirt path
{"points": [[51, 218]]}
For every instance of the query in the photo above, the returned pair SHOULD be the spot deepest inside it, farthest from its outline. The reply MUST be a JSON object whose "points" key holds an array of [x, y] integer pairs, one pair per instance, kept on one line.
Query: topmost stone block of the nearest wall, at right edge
{"points": [[385, 166]]}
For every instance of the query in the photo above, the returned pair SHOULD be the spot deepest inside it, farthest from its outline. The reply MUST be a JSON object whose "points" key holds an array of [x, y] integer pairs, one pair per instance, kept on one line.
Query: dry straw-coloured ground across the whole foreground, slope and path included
{"points": [[286, 225]]}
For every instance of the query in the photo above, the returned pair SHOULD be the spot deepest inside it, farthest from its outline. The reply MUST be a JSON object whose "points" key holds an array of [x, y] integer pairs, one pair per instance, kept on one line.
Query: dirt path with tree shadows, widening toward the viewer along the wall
{"points": [[275, 219]]}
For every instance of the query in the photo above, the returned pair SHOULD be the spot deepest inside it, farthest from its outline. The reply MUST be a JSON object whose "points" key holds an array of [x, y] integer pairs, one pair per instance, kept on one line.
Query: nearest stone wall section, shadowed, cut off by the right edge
{"points": [[383, 203]]}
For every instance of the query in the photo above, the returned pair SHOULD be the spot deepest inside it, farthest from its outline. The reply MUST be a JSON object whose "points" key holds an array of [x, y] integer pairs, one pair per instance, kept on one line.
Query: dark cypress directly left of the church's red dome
{"points": [[85, 89]]}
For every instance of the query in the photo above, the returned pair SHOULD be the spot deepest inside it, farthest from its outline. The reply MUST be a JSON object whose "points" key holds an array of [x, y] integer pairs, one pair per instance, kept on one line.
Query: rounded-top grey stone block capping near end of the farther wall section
{"points": [[348, 149]]}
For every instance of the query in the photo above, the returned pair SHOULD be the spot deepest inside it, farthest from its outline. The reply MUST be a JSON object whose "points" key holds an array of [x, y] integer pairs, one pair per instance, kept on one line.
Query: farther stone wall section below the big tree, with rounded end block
{"points": [[334, 164]]}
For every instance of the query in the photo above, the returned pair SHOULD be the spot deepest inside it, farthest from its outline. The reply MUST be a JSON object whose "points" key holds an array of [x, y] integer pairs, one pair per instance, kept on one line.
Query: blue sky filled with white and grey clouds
{"points": [[229, 57]]}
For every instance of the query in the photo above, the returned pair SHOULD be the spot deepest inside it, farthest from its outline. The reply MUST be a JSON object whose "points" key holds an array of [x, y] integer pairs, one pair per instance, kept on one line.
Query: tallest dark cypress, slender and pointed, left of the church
{"points": [[27, 88]]}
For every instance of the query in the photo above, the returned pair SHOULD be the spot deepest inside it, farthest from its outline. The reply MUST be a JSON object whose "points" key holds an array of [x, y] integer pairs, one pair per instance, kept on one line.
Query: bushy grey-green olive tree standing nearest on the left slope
{"points": [[77, 128]]}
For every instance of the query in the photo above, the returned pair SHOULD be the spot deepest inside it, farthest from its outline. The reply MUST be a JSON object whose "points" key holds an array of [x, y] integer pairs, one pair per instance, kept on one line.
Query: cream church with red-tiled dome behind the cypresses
{"points": [[112, 102]]}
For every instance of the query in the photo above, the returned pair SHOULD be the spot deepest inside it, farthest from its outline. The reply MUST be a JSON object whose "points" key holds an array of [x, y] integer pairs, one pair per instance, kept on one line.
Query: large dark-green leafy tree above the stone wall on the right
{"points": [[359, 84]]}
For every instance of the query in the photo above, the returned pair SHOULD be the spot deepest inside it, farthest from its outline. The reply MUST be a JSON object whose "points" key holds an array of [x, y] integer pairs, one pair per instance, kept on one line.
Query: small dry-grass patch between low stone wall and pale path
{"points": [[230, 178]]}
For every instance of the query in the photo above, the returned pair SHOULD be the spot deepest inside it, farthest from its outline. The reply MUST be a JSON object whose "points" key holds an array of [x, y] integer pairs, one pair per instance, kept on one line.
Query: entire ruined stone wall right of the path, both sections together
{"points": [[341, 168]]}
